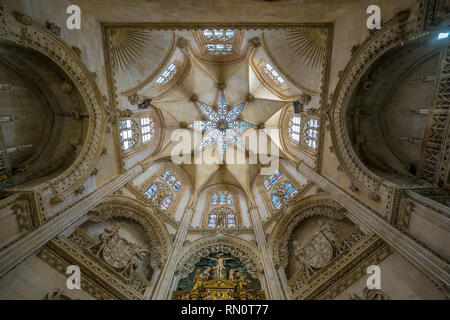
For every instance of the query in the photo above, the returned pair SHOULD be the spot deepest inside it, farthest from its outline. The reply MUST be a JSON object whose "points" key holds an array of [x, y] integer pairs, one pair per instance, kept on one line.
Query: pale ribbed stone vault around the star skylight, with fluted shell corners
{"points": [[150, 51]]}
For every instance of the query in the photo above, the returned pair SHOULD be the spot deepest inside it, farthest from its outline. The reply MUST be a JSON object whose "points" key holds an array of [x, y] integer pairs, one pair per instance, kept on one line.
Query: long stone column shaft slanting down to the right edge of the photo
{"points": [[423, 259]]}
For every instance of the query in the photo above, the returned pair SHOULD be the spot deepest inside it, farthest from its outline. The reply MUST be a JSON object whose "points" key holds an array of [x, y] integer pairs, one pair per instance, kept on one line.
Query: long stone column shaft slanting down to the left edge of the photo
{"points": [[75, 215]]}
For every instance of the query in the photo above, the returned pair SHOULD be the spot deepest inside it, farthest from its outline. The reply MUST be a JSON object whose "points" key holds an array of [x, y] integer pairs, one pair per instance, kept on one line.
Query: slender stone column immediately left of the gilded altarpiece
{"points": [[164, 285]]}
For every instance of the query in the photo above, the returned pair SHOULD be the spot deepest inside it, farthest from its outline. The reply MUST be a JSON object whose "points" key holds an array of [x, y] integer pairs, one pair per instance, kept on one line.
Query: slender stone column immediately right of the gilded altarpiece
{"points": [[273, 283]]}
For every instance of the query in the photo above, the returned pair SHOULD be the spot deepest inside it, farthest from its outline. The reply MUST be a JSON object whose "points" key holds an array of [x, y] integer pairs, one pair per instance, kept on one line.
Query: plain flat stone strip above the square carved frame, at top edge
{"points": [[306, 11]]}
